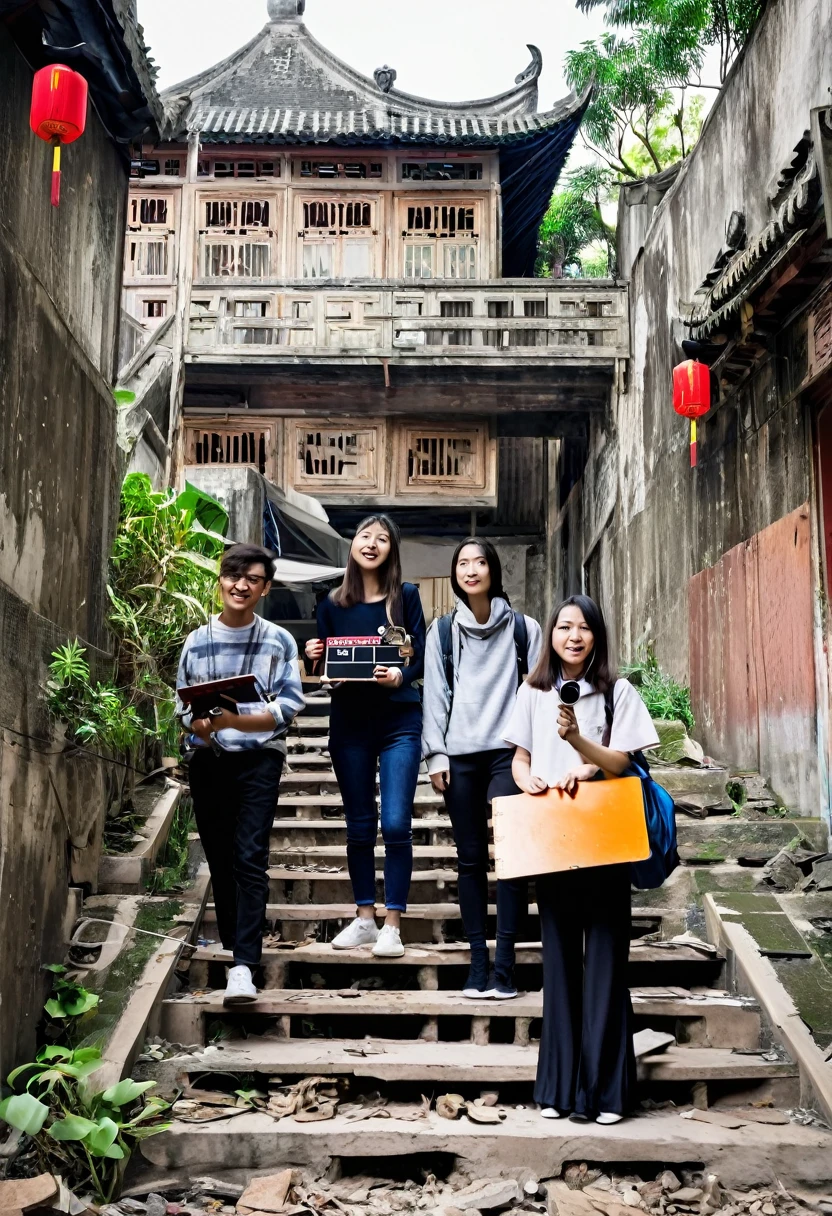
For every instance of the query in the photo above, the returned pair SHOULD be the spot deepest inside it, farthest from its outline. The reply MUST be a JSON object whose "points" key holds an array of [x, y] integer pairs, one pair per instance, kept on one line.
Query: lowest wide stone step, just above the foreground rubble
{"points": [[796, 1155]]}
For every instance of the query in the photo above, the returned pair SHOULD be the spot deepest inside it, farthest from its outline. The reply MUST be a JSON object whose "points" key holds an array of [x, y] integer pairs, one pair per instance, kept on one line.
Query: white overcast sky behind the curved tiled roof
{"points": [[452, 52]]}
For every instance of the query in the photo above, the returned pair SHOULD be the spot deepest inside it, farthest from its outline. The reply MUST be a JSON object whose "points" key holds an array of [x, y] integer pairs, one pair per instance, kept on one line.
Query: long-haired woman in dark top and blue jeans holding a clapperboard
{"points": [[376, 724]]}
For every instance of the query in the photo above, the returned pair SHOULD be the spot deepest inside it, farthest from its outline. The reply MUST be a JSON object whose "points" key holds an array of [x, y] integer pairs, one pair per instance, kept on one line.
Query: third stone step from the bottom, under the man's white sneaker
{"points": [[706, 1021]]}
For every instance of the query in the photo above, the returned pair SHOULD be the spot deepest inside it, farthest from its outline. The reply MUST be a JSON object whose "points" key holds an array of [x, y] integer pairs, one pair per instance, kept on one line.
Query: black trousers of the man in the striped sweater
{"points": [[235, 796]]}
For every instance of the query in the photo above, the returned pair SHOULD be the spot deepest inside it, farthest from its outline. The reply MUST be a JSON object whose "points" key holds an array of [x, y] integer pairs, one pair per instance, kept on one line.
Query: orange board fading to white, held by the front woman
{"points": [[604, 825]]}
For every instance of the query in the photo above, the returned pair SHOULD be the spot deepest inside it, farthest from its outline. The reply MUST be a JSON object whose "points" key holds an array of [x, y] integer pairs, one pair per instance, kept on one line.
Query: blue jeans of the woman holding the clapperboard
{"points": [[390, 740]]}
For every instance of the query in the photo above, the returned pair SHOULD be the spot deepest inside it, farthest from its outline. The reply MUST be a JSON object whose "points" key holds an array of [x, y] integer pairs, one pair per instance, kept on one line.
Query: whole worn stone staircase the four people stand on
{"points": [[400, 1029]]}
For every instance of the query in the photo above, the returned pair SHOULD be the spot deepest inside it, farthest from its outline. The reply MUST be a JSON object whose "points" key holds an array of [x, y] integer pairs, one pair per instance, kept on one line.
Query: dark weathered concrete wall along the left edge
{"points": [[60, 278]]}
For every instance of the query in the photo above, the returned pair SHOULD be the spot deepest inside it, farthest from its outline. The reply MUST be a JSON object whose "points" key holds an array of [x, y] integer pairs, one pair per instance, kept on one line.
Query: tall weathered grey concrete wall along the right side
{"points": [[649, 525]]}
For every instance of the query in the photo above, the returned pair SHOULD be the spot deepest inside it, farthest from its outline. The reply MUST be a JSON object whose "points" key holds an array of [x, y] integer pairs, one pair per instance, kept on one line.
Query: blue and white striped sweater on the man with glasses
{"points": [[263, 650]]}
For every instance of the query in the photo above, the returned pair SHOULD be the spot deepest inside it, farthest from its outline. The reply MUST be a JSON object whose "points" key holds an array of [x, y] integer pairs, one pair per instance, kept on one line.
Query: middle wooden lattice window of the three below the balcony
{"points": [[335, 457]]}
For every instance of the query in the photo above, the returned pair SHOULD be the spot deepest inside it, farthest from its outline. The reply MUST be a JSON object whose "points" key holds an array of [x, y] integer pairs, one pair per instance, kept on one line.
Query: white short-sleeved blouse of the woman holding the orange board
{"points": [[533, 727]]}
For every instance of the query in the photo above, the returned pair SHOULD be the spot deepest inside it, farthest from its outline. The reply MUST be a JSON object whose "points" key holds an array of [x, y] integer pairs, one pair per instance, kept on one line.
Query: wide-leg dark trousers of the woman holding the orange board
{"points": [[587, 1063]]}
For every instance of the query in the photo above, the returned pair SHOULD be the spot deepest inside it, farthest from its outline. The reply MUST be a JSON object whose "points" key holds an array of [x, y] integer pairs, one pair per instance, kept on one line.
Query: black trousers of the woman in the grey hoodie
{"points": [[475, 781]]}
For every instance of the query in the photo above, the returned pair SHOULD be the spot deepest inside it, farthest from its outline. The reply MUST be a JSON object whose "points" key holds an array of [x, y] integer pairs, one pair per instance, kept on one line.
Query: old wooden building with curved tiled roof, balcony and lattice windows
{"points": [[348, 269]]}
